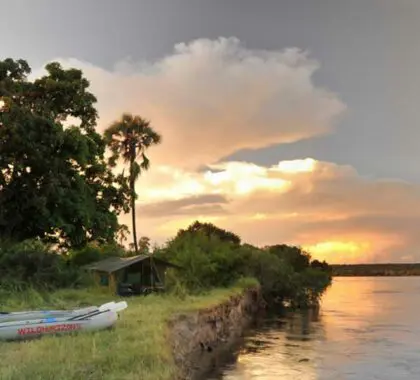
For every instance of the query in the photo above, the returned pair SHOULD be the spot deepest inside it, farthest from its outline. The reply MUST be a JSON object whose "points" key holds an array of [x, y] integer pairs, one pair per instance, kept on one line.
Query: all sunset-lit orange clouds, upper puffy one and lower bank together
{"points": [[328, 208]]}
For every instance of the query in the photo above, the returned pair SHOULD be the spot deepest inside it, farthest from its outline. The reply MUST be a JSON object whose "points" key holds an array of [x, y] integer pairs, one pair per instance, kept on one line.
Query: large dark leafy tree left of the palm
{"points": [[55, 183]]}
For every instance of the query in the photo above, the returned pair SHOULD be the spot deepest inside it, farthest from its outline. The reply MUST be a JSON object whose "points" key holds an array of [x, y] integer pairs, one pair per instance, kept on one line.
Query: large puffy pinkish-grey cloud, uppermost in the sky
{"points": [[210, 98]]}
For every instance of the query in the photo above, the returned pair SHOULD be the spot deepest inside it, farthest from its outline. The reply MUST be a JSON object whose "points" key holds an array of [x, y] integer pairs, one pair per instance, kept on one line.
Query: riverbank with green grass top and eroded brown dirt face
{"points": [[141, 346]]}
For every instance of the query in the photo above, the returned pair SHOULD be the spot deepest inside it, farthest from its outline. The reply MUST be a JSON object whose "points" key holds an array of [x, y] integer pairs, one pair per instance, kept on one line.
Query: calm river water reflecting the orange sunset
{"points": [[367, 328]]}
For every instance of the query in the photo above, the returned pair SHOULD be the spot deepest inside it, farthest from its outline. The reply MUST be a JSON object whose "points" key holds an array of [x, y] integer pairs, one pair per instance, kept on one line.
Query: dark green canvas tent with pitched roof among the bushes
{"points": [[140, 273]]}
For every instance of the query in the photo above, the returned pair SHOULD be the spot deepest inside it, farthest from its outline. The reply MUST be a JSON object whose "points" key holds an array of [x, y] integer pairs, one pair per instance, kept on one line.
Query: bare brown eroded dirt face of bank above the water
{"points": [[199, 339]]}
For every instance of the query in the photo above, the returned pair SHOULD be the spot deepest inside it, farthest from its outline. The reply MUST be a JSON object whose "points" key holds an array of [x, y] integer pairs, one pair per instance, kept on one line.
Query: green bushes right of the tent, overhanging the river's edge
{"points": [[284, 272]]}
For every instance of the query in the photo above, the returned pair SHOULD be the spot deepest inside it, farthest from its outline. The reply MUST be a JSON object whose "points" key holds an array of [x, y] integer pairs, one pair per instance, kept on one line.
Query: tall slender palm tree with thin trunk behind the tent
{"points": [[128, 139]]}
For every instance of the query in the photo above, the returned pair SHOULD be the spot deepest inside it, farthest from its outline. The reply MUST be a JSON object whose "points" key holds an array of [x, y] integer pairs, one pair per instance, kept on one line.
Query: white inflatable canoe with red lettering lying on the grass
{"points": [[96, 318]]}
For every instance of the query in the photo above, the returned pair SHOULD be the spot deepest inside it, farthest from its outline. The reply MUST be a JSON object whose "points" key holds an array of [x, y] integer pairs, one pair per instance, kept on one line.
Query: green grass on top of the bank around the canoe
{"points": [[136, 349]]}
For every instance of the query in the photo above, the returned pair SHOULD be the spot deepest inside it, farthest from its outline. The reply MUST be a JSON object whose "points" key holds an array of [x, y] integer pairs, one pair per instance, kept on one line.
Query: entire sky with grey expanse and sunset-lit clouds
{"points": [[285, 121]]}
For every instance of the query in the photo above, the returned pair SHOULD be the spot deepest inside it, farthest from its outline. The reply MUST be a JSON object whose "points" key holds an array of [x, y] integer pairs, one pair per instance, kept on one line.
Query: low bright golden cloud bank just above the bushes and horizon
{"points": [[329, 209]]}
